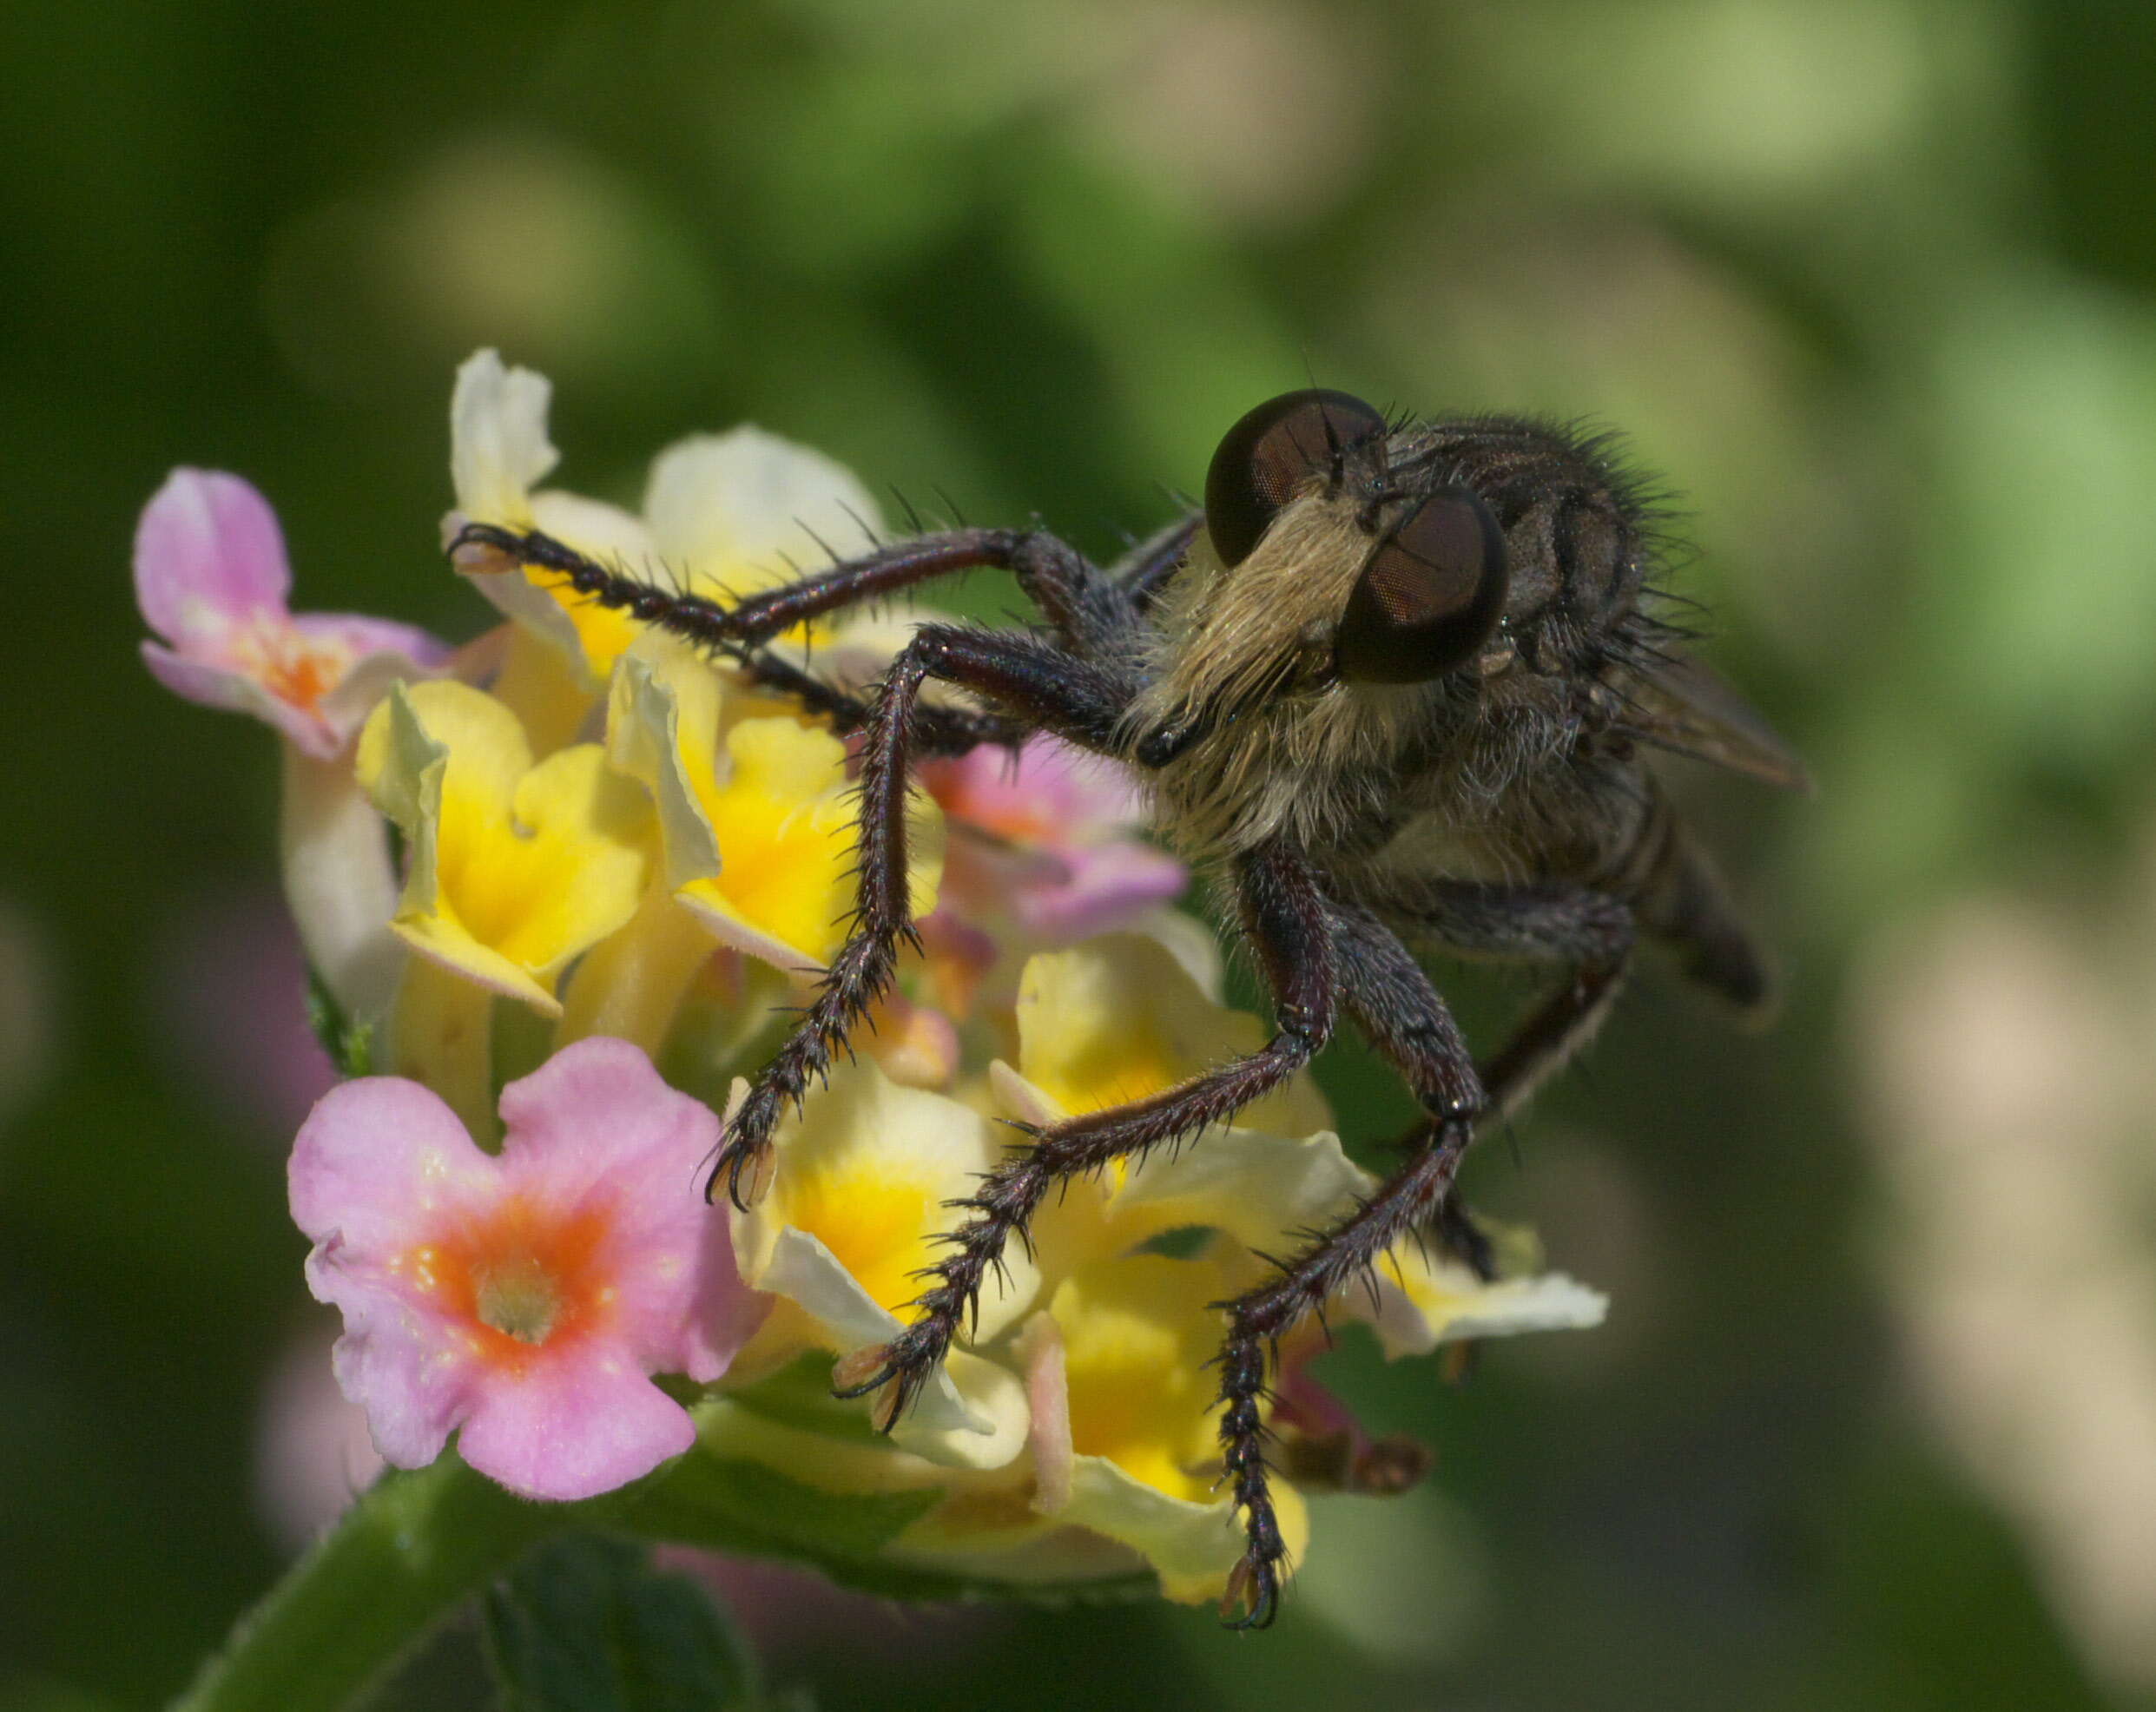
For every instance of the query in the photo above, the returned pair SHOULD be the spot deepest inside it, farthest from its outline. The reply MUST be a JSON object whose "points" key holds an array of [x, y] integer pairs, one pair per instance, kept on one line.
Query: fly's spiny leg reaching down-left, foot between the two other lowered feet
{"points": [[1286, 922]]}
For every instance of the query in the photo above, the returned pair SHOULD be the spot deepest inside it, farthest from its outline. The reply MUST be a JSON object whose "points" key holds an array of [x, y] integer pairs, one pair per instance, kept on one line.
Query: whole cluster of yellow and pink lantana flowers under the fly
{"points": [[616, 872]]}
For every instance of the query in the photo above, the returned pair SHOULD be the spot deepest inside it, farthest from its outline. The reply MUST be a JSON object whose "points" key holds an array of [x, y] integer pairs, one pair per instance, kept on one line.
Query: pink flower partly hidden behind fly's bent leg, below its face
{"points": [[1047, 842]]}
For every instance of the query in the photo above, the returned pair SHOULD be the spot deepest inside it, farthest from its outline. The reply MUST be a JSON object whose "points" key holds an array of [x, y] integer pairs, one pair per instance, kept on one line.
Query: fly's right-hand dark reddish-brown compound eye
{"points": [[1428, 598]]}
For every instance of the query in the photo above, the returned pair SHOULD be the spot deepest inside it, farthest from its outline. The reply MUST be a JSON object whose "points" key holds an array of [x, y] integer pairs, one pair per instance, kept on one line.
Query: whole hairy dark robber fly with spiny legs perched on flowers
{"points": [[1392, 689]]}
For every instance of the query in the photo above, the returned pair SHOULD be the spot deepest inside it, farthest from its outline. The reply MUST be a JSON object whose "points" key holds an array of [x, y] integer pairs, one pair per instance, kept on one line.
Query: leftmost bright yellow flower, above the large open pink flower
{"points": [[514, 868]]}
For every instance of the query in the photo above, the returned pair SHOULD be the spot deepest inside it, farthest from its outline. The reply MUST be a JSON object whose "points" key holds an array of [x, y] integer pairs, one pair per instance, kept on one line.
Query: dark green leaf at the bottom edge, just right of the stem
{"points": [[590, 1627]]}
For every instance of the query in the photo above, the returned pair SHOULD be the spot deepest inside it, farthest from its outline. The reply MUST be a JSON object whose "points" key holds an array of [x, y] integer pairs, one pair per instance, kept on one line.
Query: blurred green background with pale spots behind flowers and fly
{"points": [[1870, 281]]}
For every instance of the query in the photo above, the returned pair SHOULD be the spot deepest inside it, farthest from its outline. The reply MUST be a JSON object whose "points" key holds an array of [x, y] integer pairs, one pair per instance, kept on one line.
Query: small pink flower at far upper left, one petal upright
{"points": [[212, 581]]}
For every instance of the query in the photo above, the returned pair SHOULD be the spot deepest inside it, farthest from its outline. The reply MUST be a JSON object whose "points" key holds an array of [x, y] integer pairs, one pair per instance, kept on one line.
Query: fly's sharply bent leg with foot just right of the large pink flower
{"points": [[1036, 682]]}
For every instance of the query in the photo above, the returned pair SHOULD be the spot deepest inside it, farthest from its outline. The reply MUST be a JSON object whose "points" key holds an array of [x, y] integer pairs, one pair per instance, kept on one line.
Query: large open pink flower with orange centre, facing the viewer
{"points": [[523, 1299]]}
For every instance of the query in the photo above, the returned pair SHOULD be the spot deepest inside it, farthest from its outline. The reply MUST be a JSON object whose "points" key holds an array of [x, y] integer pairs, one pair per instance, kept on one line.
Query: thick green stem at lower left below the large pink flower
{"points": [[396, 1564]]}
